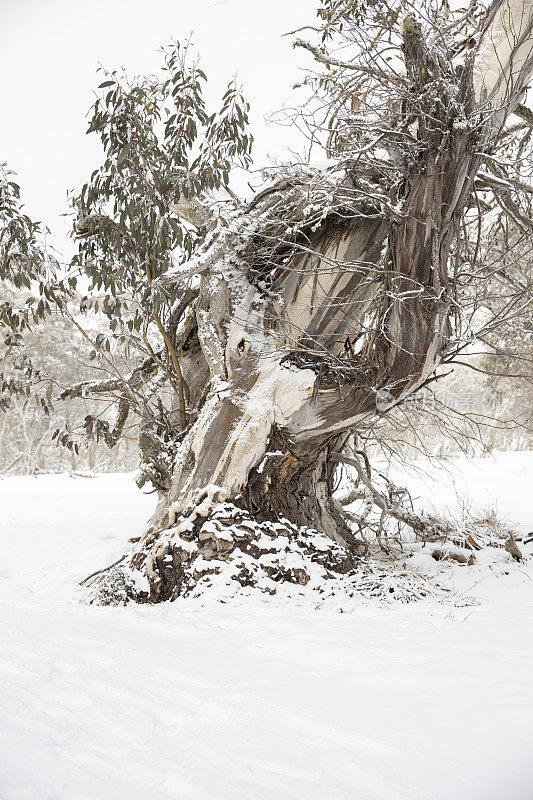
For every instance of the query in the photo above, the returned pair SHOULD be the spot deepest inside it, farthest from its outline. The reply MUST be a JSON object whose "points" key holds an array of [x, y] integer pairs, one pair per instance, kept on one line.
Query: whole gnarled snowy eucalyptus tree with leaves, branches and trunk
{"points": [[282, 329]]}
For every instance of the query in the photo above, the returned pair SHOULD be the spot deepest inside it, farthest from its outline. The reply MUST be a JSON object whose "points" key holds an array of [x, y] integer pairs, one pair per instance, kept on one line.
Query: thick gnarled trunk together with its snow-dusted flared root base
{"points": [[321, 305]]}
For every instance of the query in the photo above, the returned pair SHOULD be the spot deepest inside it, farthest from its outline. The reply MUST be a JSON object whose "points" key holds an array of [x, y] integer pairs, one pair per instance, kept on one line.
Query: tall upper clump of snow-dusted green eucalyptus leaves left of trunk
{"points": [[161, 146]]}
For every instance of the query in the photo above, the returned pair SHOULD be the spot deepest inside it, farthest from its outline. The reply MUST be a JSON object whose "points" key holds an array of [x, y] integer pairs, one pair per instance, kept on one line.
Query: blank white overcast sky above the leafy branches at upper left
{"points": [[50, 50]]}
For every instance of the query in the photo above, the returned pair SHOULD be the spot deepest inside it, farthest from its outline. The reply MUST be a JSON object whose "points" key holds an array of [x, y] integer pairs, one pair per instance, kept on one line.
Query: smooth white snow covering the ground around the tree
{"points": [[255, 698]]}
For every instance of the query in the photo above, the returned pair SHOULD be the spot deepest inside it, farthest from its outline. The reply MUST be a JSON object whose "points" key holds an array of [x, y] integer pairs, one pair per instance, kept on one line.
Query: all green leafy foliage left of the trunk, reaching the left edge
{"points": [[133, 220]]}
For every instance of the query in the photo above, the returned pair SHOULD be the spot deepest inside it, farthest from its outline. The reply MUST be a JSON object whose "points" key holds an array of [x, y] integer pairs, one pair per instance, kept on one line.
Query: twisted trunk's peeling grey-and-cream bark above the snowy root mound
{"points": [[359, 312]]}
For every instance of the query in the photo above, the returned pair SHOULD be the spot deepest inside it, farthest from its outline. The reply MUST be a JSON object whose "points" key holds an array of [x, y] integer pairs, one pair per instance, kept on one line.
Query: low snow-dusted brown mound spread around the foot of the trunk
{"points": [[230, 555]]}
